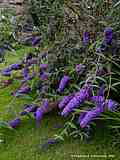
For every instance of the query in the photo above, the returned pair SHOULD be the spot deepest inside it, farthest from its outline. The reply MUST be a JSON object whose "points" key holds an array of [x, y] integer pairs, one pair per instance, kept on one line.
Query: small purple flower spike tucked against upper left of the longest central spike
{"points": [[65, 101]]}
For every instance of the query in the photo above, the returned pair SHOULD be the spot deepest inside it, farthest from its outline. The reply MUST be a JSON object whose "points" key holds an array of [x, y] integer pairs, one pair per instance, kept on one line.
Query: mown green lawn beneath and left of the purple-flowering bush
{"points": [[24, 143]]}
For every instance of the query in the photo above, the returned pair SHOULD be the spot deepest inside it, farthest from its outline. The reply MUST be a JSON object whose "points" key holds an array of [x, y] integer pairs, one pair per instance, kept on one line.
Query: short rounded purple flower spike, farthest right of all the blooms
{"points": [[111, 105]]}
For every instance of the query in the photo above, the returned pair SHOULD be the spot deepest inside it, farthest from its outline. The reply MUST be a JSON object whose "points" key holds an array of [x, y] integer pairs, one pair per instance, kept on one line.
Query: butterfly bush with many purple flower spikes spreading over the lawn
{"points": [[34, 66]]}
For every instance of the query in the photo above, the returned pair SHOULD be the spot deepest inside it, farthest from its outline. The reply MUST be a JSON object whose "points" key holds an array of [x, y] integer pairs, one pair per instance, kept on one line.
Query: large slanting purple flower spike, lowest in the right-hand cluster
{"points": [[90, 115]]}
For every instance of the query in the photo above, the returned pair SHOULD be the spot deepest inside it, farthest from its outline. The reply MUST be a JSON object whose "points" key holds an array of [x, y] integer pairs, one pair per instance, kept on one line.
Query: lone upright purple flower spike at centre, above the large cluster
{"points": [[64, 81]]}
